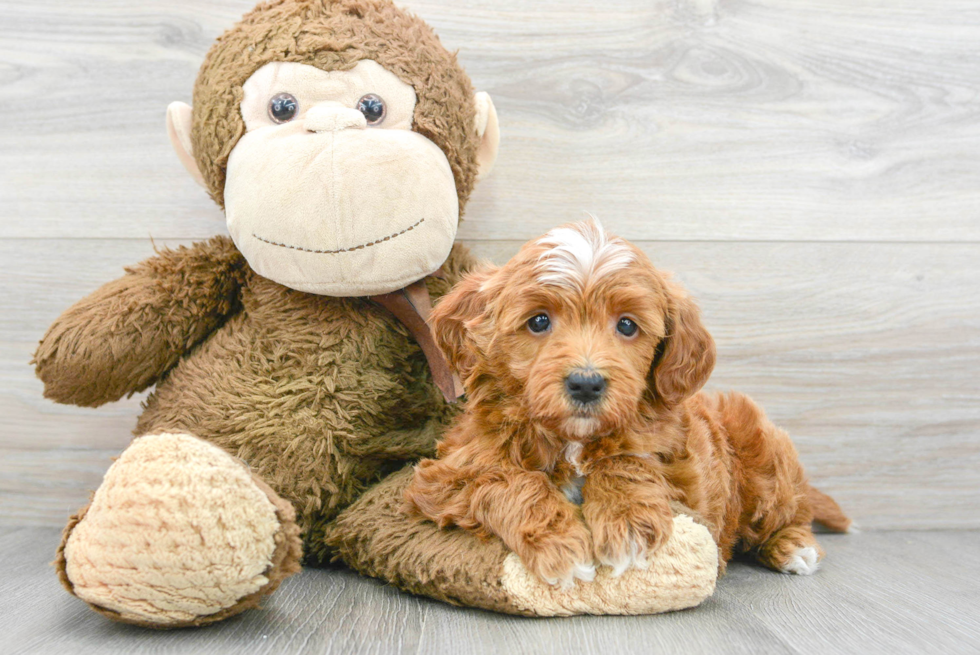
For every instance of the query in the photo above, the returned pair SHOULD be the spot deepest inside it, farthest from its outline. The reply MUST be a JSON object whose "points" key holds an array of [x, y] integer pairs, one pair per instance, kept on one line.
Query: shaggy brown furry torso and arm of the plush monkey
{"points": [[321, 396]]}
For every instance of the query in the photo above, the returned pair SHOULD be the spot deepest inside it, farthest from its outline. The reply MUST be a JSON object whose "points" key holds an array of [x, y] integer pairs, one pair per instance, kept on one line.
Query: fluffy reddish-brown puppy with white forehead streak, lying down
{"points": [[583, 423]]}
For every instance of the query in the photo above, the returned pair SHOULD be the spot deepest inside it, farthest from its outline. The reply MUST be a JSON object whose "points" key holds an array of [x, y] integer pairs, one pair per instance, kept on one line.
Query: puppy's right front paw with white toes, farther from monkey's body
{"points": [[624, 539]]}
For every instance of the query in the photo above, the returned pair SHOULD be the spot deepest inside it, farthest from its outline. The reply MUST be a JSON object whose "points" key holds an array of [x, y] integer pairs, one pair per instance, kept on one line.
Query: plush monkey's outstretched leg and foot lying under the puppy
{"points": [[377, 538]]}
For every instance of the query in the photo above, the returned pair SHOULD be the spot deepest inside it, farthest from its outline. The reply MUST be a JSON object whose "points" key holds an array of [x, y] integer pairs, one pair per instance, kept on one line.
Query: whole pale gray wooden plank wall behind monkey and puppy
{"points": [[810, 170]]}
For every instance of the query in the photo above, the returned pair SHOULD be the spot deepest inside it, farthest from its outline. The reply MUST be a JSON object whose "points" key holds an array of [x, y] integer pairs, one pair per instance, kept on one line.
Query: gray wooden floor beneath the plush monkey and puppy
{"points": [[879, 592]]}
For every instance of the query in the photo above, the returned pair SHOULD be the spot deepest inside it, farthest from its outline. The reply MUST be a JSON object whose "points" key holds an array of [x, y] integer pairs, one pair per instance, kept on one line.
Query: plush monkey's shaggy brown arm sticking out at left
{"points": [[125, 335]]}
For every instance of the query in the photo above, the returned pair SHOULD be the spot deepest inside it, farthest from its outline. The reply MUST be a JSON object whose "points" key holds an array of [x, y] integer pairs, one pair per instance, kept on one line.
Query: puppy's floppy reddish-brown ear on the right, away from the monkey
{"points": [[686, 356]]}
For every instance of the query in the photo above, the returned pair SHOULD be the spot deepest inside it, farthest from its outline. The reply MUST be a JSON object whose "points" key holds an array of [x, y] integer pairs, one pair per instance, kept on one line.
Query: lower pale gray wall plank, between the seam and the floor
{"points": [[866, 353]]}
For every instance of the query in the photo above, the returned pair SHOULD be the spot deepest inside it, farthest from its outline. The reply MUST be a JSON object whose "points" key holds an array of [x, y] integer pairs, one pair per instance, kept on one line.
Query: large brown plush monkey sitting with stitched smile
{"points": [[343, 141]]}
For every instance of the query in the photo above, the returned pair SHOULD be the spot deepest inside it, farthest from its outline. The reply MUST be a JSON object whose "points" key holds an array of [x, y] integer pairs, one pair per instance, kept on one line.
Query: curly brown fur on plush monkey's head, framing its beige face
{"points": [[334, 35]]}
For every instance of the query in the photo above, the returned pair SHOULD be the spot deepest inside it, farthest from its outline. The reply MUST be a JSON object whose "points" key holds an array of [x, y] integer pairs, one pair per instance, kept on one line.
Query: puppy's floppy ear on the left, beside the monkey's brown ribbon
{"points": [[453, 317]]}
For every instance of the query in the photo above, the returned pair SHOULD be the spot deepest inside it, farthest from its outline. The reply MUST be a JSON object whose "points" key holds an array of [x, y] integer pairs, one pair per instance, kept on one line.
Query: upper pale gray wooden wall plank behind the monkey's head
{"points": [[683, 119]]}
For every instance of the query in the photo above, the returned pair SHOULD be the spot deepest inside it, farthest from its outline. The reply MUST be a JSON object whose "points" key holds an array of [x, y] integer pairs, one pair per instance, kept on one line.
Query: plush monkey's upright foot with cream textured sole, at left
{"points": [[179, 533]]}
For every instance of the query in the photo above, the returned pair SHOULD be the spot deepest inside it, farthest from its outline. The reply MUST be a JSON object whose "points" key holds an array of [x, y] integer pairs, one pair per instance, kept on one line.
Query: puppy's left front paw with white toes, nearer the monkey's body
{"points": [[560, 557]]}
